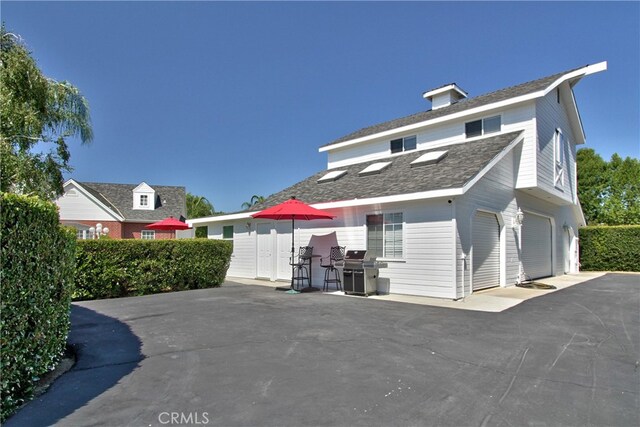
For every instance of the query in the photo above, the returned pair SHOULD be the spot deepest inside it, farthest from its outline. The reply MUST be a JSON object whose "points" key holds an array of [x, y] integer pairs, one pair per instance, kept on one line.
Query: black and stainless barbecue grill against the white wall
{"points": [[360, 272]]}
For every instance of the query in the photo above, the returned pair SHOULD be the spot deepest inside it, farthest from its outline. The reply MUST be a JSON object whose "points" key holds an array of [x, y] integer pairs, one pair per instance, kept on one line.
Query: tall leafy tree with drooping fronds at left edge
{"points": [[36, 112]]}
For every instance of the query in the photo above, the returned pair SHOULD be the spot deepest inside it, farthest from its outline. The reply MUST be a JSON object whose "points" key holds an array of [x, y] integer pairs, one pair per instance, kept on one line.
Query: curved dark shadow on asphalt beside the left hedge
{"points": [[106, 351]]}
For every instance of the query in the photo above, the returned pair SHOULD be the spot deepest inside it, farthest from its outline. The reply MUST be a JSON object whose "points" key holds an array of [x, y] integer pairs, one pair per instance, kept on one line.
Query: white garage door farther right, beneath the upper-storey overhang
{"points": [[536, 246]]}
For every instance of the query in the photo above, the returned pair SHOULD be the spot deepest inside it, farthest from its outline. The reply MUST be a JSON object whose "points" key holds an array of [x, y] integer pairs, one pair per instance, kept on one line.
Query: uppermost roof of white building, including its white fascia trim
{"points": [[501, 95]]}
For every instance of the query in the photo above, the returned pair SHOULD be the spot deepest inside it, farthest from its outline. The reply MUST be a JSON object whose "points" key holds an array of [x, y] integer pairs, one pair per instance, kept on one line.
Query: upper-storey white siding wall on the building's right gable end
{"points": [[552, 115]]}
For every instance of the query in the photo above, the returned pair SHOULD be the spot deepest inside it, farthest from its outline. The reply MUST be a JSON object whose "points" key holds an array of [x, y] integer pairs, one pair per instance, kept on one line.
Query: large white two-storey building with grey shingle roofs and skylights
{"points": [[471, 194]]}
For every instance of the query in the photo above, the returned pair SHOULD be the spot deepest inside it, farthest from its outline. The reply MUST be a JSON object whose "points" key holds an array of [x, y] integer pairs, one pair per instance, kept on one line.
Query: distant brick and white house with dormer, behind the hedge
{"points": [[125, 209]]}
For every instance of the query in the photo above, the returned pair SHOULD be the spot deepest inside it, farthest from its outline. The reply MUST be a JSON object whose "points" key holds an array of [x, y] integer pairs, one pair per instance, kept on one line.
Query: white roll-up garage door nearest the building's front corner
{"points": [[486, 251]]}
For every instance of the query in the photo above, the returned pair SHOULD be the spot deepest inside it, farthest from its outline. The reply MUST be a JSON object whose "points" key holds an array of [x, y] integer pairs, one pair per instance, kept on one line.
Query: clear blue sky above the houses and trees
{"points": [[234, 99]]}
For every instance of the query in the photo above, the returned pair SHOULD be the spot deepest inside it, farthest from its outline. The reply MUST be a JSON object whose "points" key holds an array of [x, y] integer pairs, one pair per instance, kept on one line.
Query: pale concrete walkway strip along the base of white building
{"points": [[490, 300]]}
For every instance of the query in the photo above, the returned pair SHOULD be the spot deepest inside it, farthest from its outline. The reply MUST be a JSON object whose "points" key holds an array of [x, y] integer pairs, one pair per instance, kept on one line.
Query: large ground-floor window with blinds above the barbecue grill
{"points": [[385, 235]]}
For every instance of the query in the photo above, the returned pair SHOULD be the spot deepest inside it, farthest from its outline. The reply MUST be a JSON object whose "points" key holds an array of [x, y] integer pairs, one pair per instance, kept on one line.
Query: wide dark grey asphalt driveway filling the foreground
{"points": [[246, 355]]}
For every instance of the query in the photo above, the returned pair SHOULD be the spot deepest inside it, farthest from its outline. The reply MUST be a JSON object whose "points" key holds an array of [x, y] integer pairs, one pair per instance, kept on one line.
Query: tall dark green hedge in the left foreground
{"points": [[38, 257]]}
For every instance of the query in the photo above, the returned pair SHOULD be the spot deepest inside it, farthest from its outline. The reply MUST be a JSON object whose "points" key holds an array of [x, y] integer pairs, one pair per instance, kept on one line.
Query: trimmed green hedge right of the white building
{"points": [[610, 248]]}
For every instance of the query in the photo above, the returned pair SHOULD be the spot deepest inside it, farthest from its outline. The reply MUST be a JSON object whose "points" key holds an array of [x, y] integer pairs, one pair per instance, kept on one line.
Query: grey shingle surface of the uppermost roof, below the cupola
{"points": [[465, 104]]}
